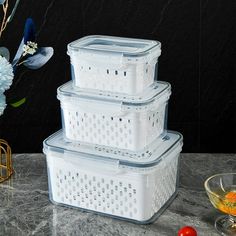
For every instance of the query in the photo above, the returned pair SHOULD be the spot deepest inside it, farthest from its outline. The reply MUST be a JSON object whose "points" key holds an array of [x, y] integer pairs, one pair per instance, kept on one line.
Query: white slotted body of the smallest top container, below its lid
{"points": [[125, 78]]}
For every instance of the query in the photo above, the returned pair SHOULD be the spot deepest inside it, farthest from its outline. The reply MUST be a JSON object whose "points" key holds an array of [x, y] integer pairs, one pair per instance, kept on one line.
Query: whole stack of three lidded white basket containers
{"points": [[114, 154]]}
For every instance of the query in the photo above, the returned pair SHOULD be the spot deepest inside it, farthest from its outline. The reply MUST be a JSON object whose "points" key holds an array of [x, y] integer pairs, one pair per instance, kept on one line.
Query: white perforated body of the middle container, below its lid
{"points": [[128, 130]]}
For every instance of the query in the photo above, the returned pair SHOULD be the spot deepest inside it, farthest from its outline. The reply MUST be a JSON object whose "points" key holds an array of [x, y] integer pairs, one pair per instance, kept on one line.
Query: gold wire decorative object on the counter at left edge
{"points": [[6, 169]]}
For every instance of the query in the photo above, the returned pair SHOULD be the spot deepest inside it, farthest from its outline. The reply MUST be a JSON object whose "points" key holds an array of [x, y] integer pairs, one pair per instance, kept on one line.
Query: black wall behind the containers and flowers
{"points": [[198, 59]]}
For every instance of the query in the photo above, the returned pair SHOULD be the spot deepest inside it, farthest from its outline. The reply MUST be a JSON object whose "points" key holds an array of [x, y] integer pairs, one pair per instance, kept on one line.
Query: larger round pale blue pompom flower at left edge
{"points": [[6, 74]]}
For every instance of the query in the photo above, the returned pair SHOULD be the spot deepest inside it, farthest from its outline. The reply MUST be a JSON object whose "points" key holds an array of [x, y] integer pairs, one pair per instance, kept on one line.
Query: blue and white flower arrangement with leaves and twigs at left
{"points": [[28, 53]]}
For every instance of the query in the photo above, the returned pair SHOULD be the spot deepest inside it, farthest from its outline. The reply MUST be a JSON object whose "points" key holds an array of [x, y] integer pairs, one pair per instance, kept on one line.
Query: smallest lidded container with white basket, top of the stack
{"points": [[120, 65]]}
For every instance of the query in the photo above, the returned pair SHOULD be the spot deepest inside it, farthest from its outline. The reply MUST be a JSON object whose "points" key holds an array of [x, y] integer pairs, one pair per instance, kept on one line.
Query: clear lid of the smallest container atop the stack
{"points": [[116, 45]]}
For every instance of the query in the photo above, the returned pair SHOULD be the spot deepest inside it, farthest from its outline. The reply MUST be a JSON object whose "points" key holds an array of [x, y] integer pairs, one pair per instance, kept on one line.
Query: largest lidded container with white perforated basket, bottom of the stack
{"points": [[138, 190]]}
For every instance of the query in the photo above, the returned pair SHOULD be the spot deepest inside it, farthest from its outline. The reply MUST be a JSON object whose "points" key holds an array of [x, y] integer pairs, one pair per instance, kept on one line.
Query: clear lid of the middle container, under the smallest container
{"points": [[155, 93]]}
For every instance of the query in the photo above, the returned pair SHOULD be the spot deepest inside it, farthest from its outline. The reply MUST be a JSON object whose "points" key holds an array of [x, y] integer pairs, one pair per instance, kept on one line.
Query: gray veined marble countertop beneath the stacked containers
{"points": [[25, 208]]}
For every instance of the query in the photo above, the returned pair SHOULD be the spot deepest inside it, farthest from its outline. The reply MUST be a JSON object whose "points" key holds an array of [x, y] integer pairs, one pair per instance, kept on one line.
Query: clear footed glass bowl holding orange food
{"points": [[221, 190]]}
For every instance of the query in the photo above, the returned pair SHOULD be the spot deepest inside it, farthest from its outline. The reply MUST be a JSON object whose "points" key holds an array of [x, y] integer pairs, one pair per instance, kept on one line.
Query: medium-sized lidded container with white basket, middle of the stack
{"points": [[125, 122]]}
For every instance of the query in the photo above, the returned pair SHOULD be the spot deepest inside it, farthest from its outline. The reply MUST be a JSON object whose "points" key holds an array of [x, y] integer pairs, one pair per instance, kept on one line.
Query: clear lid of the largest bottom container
{"points": [[159, 149]]}
